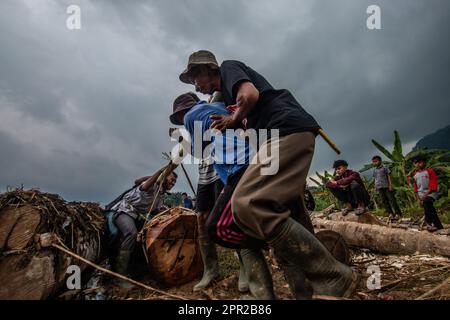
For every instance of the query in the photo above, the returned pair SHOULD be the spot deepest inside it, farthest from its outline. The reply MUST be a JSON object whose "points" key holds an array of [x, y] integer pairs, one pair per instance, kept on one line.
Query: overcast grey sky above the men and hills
{"points": [[84, 112]]}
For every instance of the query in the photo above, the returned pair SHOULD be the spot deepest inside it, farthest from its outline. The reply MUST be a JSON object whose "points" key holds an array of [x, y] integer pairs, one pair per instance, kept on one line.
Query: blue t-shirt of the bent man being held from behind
{"points": [[230, 152]]}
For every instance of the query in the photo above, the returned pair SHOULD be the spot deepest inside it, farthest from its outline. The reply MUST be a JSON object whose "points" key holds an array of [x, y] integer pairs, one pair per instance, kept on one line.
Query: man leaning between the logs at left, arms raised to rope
{"points": [[128, 214]]}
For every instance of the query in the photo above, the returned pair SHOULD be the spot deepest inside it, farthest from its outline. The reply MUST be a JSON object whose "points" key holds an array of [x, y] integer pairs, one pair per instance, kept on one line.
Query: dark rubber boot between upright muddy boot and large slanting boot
{"points": [[301, 288]]}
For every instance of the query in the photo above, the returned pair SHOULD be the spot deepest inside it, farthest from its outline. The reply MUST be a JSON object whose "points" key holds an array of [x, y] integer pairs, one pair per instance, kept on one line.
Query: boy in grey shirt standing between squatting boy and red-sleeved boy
{"points": [[383, 184]]}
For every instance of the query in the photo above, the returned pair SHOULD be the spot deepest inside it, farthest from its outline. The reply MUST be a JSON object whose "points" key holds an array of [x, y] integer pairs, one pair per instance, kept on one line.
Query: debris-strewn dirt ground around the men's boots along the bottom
{"points": [[401, 278]]}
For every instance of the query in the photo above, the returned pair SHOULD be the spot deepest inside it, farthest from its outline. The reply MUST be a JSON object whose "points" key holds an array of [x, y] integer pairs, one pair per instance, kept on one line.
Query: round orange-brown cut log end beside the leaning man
{"points": [[171, 247]]}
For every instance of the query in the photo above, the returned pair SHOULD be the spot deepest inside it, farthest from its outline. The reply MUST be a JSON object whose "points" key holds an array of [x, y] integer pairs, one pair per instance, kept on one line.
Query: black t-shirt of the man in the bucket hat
{"points": [[275, 109]]}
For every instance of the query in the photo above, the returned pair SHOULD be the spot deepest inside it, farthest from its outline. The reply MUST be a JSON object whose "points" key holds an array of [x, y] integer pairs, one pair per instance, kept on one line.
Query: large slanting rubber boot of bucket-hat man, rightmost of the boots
{"points": [[297, 246]]}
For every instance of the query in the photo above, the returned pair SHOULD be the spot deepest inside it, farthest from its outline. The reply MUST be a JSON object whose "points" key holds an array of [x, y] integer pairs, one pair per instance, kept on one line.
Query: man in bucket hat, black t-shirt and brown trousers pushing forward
{"points": [[261, 204]]}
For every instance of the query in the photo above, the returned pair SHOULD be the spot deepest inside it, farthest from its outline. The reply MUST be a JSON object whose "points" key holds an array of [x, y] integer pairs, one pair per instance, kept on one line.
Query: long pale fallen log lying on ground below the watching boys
{"points": [[387, 240]]}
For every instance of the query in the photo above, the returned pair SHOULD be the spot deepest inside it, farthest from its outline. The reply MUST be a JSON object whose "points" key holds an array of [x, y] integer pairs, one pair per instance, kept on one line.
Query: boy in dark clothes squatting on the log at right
{"points": [[348, 187]]}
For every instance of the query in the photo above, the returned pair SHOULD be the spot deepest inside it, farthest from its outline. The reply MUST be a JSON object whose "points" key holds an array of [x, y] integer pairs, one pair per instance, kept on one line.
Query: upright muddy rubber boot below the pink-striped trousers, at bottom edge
{"points": [[259, 277]]}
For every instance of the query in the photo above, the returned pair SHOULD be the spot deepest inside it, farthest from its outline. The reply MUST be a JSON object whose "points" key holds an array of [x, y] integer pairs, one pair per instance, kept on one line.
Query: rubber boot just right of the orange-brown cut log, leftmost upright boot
{"points": [[210, 265]]}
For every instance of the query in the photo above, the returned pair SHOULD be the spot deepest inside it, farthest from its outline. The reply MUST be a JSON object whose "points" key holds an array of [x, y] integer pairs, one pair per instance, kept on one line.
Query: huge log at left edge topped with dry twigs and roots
{"points": [[29, 270]]}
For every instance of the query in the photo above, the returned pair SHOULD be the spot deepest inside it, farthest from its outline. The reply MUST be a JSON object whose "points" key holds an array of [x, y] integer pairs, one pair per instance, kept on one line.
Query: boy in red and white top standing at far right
{"points": [[426, 190]]}
